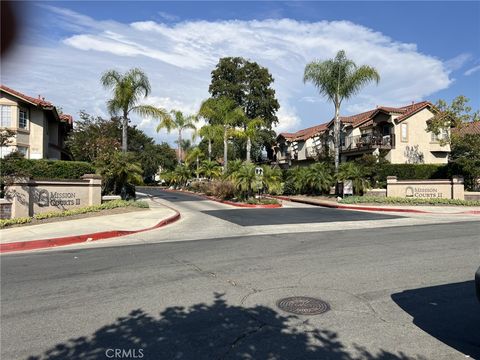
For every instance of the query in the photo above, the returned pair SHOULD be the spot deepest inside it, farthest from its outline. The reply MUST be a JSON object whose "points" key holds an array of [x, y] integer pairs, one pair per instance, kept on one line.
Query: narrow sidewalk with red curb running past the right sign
{"points": [[441, 210]]}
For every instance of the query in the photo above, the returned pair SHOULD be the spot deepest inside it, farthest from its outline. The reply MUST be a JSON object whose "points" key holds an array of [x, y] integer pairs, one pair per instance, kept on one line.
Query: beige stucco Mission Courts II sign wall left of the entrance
{"points": [[29, 197]]}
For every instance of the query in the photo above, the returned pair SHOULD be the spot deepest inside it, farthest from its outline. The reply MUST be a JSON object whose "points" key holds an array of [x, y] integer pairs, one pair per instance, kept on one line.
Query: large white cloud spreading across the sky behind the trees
{"points": [[178, 59]]}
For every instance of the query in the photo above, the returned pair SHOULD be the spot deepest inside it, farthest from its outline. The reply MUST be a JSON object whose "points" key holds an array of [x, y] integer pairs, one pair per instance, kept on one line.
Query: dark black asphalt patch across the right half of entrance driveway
{"points": [[255, 217]]}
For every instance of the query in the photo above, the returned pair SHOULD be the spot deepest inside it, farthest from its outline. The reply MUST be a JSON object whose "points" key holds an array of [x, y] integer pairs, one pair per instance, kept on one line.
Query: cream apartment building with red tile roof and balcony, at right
{"points": [[399, 133]]}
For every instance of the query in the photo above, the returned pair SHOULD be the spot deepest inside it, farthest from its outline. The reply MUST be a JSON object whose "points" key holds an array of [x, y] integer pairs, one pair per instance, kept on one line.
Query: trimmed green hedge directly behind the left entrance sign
{"points": [[46, 169]]}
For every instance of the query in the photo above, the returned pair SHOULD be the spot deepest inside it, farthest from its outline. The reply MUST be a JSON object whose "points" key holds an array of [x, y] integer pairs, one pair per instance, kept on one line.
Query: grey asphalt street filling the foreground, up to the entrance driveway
{"points": [[395, 292]]}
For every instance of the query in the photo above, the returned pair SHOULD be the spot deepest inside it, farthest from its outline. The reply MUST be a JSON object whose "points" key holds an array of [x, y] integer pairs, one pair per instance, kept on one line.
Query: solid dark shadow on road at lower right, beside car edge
{"points": [[450, 313]]}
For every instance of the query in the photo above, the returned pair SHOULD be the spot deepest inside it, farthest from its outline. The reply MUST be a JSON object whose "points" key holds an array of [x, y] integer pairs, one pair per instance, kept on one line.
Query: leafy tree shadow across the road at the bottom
{"points": [[217, 331]]}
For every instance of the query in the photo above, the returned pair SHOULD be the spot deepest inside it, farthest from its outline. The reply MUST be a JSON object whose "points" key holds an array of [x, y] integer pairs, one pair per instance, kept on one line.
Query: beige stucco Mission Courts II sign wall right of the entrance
{"points": [[426, 189]]}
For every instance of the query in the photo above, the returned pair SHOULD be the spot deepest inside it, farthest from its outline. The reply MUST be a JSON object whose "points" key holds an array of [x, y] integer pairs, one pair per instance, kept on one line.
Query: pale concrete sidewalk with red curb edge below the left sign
{"points": [[88, 229]]}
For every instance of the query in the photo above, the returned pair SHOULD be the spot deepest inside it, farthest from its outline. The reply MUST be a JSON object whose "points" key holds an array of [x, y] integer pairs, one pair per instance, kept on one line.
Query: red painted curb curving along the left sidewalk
{"points": [[68, 240]]}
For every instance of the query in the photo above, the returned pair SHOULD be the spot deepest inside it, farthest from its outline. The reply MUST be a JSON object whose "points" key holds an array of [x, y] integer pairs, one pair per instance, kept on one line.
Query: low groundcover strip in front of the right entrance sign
{"points": [[407, 201]]}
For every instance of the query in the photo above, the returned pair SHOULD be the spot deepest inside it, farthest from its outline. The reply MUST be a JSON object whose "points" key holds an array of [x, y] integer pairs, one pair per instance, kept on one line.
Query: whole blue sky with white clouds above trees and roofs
{"points": [[422, 50]]}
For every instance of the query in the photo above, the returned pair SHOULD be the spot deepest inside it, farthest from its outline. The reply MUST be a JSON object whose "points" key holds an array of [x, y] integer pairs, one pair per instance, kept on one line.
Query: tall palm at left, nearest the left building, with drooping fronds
{"points": [[127, 89]]}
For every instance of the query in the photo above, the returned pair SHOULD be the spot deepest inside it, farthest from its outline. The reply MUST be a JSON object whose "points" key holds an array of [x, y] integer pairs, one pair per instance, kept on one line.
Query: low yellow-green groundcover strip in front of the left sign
{"points": [[88, 209]]}
